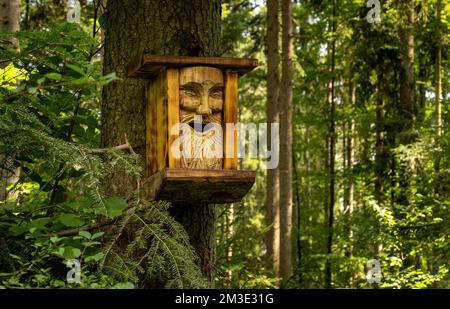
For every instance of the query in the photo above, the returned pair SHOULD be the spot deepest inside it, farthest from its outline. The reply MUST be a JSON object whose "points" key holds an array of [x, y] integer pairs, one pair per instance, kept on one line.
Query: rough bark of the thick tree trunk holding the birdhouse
{"points": [[160, 27]]}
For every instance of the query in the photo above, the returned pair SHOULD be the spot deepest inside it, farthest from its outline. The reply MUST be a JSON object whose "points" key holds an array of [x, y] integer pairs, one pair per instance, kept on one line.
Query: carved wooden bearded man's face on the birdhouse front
{"points": [[201, 94]]}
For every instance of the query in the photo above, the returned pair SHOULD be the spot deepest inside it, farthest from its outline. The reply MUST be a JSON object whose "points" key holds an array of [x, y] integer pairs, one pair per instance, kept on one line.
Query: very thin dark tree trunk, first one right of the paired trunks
{"points": [[331, 154]]}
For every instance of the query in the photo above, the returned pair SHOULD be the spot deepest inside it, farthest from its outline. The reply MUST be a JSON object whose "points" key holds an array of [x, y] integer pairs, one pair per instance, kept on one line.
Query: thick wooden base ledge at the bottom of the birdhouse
{"points": [[187, 186]]}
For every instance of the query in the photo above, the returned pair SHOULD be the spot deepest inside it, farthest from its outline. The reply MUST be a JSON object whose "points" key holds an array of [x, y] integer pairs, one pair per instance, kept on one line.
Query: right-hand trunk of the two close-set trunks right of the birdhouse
{"points": [[286, 111]]}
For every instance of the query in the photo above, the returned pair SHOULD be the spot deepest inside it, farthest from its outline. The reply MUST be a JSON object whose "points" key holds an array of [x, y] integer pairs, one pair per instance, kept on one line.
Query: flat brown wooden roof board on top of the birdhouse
{"points": [[149, 66]]}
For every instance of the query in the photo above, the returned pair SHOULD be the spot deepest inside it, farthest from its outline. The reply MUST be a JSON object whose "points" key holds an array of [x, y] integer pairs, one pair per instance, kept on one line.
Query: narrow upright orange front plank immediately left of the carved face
{"points": [[173, 111]]}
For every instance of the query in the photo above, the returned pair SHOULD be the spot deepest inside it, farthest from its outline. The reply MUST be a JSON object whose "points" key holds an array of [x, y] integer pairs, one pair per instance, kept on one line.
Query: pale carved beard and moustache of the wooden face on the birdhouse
{"points": [[203, 151]]}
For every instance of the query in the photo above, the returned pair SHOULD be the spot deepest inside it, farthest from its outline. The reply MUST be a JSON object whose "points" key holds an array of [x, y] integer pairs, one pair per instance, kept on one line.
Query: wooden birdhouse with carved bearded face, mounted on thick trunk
{"points": [[191, 134]]}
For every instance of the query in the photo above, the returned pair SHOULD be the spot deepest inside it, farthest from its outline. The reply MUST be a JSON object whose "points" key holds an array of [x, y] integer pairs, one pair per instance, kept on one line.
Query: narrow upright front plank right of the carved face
{"points": [[230, 113]]}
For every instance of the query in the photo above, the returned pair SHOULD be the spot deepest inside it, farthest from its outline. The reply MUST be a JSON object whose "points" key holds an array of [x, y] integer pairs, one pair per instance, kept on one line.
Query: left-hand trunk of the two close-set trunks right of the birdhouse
{"points": [[273, 184]]}
